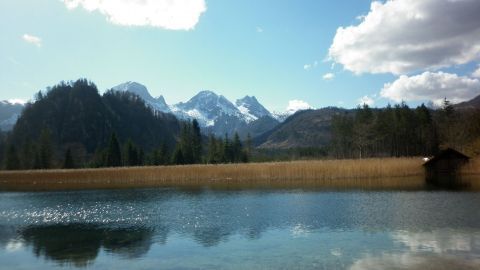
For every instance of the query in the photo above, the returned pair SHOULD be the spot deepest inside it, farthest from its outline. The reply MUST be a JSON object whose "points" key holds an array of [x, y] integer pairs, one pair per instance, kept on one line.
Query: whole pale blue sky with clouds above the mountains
{"points": [[288, 53]]}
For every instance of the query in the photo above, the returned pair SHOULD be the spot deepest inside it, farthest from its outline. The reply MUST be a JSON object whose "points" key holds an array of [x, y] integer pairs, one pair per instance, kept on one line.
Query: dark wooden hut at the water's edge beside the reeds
{"points": [[442, 170]]}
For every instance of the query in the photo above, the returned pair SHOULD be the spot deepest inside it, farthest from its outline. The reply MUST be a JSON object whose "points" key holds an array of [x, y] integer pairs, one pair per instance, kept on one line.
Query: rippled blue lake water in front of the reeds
{"points": [[169, 228]]}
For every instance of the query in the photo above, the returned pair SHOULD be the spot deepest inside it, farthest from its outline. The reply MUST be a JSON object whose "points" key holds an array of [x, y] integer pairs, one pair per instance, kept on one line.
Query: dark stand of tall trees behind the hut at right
{"points": [[402, 131]]}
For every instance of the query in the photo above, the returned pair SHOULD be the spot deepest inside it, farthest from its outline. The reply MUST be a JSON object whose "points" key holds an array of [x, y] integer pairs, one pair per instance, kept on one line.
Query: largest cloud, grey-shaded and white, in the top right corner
{"points": [[404, 36]]}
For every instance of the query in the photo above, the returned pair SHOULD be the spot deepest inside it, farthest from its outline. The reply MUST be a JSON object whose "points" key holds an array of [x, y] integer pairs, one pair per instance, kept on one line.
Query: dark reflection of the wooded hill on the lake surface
{"points": [[80, 244]]}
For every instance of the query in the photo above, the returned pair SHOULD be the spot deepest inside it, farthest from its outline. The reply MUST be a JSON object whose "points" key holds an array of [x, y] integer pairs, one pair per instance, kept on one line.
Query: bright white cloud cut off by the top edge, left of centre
{"points": [[167, 14]]}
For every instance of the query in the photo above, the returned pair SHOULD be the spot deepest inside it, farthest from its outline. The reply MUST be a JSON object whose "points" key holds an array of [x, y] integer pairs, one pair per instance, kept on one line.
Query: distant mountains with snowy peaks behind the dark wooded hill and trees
{"points": [[217, 115]]}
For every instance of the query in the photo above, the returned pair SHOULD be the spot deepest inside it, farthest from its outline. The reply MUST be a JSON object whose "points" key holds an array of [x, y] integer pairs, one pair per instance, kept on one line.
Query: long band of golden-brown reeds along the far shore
{"points": [[385, 173]]}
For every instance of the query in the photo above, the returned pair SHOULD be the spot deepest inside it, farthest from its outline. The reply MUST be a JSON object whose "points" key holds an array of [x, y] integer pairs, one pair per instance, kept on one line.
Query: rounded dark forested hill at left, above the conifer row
{"points": [[75, 116]]}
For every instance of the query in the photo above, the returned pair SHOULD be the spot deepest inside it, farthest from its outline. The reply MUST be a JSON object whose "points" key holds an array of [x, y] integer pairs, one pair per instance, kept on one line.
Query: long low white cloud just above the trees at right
{"points": [[434, 86]]}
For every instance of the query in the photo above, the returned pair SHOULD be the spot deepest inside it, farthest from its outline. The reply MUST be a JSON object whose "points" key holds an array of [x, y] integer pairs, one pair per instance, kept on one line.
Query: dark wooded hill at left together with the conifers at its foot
{"points": [[72, 126]]}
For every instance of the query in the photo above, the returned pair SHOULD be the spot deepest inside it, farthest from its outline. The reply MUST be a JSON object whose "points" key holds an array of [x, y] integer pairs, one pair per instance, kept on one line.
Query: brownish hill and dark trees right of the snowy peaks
{"points": [[368, 132]]}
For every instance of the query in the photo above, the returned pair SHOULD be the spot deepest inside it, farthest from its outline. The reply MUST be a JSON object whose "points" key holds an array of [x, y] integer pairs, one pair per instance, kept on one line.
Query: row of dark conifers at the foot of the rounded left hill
{"points": [[189, 150]]}
